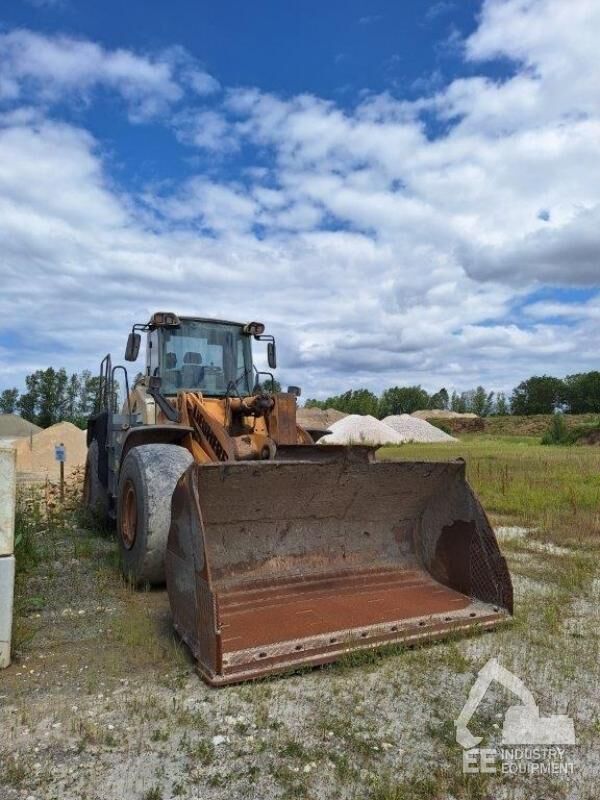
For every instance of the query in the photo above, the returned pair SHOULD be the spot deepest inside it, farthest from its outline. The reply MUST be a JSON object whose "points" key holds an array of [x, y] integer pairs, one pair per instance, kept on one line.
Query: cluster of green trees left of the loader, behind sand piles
{"points": [[51, 396]]}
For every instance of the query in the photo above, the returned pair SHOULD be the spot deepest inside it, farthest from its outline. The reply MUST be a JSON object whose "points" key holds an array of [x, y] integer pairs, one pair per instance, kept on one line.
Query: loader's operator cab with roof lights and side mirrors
{"points": [[213, 357]]}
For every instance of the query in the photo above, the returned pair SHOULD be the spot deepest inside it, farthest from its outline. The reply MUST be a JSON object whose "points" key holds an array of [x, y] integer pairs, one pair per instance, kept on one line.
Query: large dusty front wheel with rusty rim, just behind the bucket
{"points": [[146, 483]]}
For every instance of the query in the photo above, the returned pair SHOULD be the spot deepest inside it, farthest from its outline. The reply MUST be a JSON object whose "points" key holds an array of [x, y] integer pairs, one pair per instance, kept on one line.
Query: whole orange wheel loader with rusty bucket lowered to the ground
{"points": [[277, 552]]}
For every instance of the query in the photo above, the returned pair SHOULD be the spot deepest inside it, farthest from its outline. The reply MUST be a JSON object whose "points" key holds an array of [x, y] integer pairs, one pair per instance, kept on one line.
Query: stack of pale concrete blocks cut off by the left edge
{"points": [[8, 490]]}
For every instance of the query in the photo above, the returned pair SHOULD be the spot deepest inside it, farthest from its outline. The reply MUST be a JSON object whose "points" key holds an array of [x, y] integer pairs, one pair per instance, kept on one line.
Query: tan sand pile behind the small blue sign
{"points": [[36, 456]]}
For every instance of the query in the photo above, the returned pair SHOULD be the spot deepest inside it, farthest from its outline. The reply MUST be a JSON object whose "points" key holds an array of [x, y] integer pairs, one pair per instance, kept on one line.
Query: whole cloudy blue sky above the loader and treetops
{"points": [[402, 192]]}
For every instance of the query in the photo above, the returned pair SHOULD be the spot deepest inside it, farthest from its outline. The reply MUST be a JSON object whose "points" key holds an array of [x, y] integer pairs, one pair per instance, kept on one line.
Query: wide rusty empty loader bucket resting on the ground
{"points": [[271, 565]]}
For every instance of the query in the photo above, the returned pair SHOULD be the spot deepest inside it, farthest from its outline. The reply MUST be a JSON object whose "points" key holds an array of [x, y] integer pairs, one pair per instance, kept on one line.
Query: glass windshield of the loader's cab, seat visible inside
{"points": [[205, 357]]}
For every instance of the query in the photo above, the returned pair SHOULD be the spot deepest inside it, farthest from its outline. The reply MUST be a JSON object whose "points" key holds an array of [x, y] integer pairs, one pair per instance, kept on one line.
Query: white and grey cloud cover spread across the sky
{"points": [[378, 252]]}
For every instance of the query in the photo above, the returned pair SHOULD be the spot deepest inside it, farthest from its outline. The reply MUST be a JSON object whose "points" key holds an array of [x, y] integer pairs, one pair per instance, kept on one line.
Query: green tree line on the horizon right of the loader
{"points": [[575, 394]]}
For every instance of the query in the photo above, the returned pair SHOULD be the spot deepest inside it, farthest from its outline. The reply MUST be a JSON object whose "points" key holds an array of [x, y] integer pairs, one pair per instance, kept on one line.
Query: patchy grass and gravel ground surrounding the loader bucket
{"points": [[102, 702]]}
